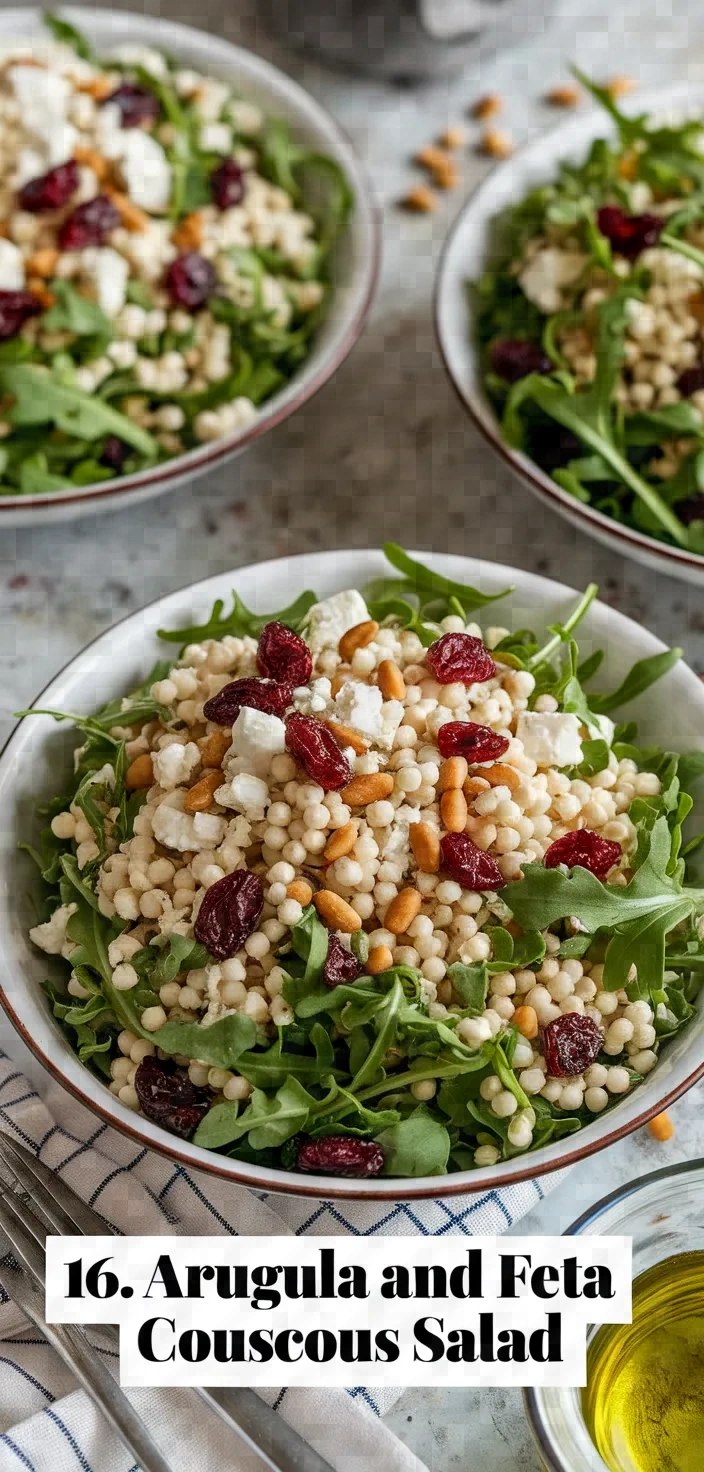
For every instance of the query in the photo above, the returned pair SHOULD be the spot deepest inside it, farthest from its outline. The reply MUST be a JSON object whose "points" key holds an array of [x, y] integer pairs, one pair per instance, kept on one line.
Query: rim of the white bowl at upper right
{"points": [[475, 401]]}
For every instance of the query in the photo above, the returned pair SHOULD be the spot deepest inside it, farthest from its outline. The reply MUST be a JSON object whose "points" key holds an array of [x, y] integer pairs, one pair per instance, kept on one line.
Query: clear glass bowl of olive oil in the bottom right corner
{"points": [[643, 1408]]}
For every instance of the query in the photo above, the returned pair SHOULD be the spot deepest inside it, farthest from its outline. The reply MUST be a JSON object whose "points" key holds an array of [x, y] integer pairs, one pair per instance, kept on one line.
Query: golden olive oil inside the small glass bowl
{"points": [[644, 1399]]}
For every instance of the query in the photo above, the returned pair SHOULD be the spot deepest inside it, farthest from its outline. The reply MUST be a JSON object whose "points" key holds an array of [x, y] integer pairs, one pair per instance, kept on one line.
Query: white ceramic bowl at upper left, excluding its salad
{"points": [[356, 263]]}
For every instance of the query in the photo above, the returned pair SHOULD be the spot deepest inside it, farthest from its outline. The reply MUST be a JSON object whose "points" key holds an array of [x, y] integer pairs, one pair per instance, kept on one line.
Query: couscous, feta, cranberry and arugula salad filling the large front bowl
{"points": [[359, 888]]}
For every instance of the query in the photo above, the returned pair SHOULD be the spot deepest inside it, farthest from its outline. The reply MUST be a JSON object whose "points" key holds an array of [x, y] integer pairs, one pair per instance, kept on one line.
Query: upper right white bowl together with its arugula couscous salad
{"points": [[580, 350]]}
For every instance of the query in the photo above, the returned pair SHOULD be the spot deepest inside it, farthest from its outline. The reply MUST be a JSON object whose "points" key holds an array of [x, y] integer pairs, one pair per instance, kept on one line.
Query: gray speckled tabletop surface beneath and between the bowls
{"points": [[384, 451]]}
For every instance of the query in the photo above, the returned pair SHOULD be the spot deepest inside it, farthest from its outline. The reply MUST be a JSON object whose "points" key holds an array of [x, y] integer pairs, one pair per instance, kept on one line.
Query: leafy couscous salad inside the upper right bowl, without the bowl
{"points": [[591, 326]]}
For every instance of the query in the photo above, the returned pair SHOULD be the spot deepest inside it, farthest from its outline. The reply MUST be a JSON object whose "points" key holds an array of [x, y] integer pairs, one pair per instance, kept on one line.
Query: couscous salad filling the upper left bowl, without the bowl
{"points": [[161, 275]]}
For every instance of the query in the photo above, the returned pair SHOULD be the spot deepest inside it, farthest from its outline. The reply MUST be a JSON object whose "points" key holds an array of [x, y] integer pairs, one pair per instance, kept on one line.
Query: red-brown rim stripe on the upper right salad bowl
{"points": [[522, 466]]}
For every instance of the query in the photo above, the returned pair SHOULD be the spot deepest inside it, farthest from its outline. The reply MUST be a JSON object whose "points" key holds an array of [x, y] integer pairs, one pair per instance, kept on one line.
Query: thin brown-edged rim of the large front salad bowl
{"points": [[263, 1178]]}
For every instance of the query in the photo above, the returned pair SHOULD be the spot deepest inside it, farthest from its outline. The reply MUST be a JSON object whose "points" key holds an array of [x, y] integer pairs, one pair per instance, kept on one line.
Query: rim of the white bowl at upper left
{"points": [[204, 459]]}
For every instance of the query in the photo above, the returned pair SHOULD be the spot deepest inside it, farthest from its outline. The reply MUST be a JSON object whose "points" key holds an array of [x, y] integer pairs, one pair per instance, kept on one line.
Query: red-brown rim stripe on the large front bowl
{"points": [[319, 1187]]}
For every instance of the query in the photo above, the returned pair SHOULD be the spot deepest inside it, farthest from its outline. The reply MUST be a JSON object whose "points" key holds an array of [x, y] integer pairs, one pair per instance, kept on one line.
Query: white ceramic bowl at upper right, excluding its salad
{"points": [[466, 257]]}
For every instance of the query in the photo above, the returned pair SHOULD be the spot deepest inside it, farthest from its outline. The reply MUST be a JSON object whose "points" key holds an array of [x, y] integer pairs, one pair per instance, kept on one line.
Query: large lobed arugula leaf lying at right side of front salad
{"points": [[638, 916]]}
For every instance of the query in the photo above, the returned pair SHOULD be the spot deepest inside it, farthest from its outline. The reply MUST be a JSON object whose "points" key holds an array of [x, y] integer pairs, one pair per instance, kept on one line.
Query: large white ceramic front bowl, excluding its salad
{"points": [[39, 756]]}
